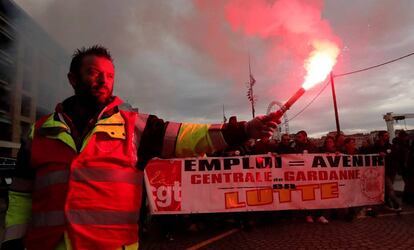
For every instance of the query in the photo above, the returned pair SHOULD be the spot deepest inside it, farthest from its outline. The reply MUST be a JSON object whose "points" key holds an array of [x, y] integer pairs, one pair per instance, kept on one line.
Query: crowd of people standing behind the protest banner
{"points": [[399, 156]]}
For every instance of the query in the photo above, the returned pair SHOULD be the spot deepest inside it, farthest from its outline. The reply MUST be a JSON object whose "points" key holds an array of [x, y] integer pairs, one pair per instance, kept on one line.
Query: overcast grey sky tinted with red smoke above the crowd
{"points": [[182, 60]]}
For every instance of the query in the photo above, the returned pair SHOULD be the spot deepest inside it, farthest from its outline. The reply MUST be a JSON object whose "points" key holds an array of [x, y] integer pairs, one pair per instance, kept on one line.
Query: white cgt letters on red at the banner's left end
{"points": [[167, 196]]}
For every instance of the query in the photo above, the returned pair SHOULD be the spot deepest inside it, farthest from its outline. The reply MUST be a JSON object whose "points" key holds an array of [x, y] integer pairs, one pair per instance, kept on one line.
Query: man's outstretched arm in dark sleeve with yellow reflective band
{"points": [[169, 139]]}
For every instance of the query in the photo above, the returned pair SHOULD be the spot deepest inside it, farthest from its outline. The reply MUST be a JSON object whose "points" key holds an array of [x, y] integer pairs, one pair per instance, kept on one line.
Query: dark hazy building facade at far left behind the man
{"points": [[32, 75]]}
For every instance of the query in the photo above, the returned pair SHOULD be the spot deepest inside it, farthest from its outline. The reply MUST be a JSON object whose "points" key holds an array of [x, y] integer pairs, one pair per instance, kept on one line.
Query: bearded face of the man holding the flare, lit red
{"points": [[95, 81]]}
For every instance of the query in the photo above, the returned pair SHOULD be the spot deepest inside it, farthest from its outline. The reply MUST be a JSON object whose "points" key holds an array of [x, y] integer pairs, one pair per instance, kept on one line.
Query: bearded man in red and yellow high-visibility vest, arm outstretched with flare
{"points": [[78, 181]]}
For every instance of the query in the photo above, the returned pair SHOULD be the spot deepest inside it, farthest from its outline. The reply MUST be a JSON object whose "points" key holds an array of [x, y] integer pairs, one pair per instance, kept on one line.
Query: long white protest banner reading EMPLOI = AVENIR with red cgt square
{"points": [[264, 182]]}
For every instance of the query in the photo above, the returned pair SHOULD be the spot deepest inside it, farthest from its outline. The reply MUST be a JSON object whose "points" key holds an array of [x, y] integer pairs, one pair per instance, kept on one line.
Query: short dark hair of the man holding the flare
{"points": [[79, 54]]}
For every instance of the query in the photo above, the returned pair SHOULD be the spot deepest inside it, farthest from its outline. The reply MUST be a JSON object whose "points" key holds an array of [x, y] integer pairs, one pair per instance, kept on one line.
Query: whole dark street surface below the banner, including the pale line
{"points": [[388, 230]]}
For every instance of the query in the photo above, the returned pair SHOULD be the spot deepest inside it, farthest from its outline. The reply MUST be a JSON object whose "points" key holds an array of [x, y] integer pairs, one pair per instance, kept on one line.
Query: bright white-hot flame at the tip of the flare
{"points": [[320, 63]]}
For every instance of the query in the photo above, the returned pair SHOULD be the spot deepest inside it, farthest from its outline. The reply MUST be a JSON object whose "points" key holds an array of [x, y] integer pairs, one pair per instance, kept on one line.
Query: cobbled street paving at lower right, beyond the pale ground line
{"points": [[372, 233]]}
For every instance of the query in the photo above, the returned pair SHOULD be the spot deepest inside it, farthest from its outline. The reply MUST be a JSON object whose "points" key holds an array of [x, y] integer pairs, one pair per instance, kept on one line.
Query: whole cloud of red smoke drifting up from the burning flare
{"points": [[284, 29]]}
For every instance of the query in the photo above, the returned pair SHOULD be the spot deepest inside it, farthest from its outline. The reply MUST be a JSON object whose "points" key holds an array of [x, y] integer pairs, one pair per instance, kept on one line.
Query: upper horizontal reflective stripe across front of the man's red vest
{"points": [[86, 175]]}
